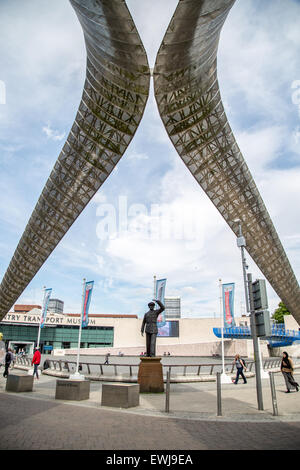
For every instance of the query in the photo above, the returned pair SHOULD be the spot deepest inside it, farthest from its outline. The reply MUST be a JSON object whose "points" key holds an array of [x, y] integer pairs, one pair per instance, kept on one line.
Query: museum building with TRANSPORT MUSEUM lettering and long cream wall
{"points": [[115, 333]]}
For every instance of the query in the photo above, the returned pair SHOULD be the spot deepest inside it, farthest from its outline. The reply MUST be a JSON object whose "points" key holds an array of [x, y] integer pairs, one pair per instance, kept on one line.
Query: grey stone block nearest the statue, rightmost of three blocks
{"points": [[120, 395]]}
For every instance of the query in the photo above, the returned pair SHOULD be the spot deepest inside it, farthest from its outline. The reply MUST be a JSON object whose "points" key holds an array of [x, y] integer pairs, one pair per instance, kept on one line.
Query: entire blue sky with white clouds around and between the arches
{"points": [[135, 227]]}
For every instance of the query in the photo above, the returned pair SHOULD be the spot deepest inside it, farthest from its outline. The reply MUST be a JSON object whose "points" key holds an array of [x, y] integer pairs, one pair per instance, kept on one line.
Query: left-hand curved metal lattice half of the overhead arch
{"points": [[114, 97]]}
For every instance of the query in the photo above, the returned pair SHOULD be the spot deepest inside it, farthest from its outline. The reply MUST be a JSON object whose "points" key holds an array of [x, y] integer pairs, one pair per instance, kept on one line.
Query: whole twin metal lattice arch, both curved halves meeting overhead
{"points": [[114, 97]]}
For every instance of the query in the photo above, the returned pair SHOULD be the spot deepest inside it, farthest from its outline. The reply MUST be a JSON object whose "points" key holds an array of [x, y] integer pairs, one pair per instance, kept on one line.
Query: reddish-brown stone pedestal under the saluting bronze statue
{"points": [[150, 376]]}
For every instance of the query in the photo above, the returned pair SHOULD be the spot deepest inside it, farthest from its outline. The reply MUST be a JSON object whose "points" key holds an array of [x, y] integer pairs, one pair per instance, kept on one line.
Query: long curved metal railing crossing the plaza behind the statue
{"points": [[100, 370]]}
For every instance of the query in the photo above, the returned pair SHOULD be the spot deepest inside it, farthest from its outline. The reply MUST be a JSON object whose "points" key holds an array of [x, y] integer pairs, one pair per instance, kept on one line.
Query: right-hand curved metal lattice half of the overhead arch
{"points": [[188, 98]]}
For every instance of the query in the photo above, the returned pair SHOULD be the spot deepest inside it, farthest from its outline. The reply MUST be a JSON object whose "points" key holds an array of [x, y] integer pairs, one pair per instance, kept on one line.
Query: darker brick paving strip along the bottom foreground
{"points": [[37, 424]]}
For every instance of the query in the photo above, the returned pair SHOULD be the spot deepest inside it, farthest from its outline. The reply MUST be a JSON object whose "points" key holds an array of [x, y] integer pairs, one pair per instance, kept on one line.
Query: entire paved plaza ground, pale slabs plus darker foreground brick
{"points": [[37, 421]]}
